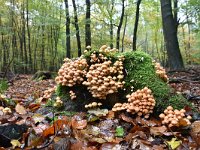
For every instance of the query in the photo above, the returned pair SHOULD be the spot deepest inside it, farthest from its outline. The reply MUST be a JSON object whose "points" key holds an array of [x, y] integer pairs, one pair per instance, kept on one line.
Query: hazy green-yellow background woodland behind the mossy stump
{"points": [[38, 34]]}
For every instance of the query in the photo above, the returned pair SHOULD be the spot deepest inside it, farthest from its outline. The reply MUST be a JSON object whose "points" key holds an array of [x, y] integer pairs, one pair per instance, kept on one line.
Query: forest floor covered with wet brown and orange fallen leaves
{"points": [[80, 131]]}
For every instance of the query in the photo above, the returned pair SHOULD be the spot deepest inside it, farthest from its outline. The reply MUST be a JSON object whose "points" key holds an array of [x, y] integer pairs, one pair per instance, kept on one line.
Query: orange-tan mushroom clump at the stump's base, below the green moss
{"points": [[141, 102]]}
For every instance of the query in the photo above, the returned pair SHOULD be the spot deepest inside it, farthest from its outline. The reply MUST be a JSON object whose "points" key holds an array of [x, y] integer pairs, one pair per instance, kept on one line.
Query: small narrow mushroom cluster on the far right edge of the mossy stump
{"points": [[160, 71]]}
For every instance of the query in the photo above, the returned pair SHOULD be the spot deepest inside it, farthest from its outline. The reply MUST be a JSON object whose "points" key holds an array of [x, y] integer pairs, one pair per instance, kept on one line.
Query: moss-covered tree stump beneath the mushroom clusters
{"points": [[139, 72]]}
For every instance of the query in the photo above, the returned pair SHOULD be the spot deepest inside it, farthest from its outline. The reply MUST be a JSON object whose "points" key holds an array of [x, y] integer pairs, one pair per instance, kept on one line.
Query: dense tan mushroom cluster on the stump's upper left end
{"points": [[72, 72]]}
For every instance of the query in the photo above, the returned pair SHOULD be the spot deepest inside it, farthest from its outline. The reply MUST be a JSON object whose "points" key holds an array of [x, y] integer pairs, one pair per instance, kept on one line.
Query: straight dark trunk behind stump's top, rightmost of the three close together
{"points": [[87, 25]]}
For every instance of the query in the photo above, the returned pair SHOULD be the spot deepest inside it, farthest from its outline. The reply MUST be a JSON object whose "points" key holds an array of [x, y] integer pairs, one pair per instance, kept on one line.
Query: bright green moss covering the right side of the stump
{"points": [[140, 72]]}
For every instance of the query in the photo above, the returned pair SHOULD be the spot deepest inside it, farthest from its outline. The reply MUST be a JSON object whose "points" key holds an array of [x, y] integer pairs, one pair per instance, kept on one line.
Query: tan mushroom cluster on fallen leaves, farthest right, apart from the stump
{"points": [[173, 117]]}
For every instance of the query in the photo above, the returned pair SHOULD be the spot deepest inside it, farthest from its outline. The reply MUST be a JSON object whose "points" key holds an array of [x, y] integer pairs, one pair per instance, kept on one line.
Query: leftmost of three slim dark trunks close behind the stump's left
{"points": [[68, 45]]}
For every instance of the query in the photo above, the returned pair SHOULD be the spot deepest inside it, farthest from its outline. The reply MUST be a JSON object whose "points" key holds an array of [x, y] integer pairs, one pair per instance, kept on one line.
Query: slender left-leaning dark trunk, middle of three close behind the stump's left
{"points": [[77, 28]]}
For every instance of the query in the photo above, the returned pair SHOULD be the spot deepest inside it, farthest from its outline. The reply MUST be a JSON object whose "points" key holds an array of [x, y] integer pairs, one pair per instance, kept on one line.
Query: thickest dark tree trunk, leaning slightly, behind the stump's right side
{"points": [[175, 60]]}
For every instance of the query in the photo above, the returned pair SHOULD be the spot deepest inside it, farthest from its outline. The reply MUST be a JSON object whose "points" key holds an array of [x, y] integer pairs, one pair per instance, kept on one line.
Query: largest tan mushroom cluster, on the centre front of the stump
{"points": [[105, 78]]}
